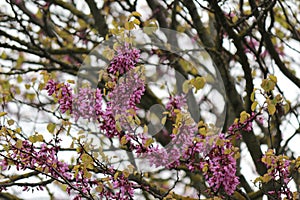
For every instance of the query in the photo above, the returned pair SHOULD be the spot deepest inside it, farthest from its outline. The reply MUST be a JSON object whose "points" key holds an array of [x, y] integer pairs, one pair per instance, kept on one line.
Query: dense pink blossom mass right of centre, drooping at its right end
{"points": [[186, 146]]}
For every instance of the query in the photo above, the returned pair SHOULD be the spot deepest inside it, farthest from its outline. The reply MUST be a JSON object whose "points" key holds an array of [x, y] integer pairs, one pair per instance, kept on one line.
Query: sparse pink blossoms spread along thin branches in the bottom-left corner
{"points": [[44, 159]]}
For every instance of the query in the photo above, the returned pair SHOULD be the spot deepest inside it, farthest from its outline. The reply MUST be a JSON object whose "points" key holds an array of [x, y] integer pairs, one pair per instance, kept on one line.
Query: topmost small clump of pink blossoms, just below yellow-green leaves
{"points": [[125, 60]]}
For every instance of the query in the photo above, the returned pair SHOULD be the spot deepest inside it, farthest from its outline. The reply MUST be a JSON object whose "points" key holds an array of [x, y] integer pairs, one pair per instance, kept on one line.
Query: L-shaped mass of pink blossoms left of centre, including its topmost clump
{"points": [[87, 104]]}
